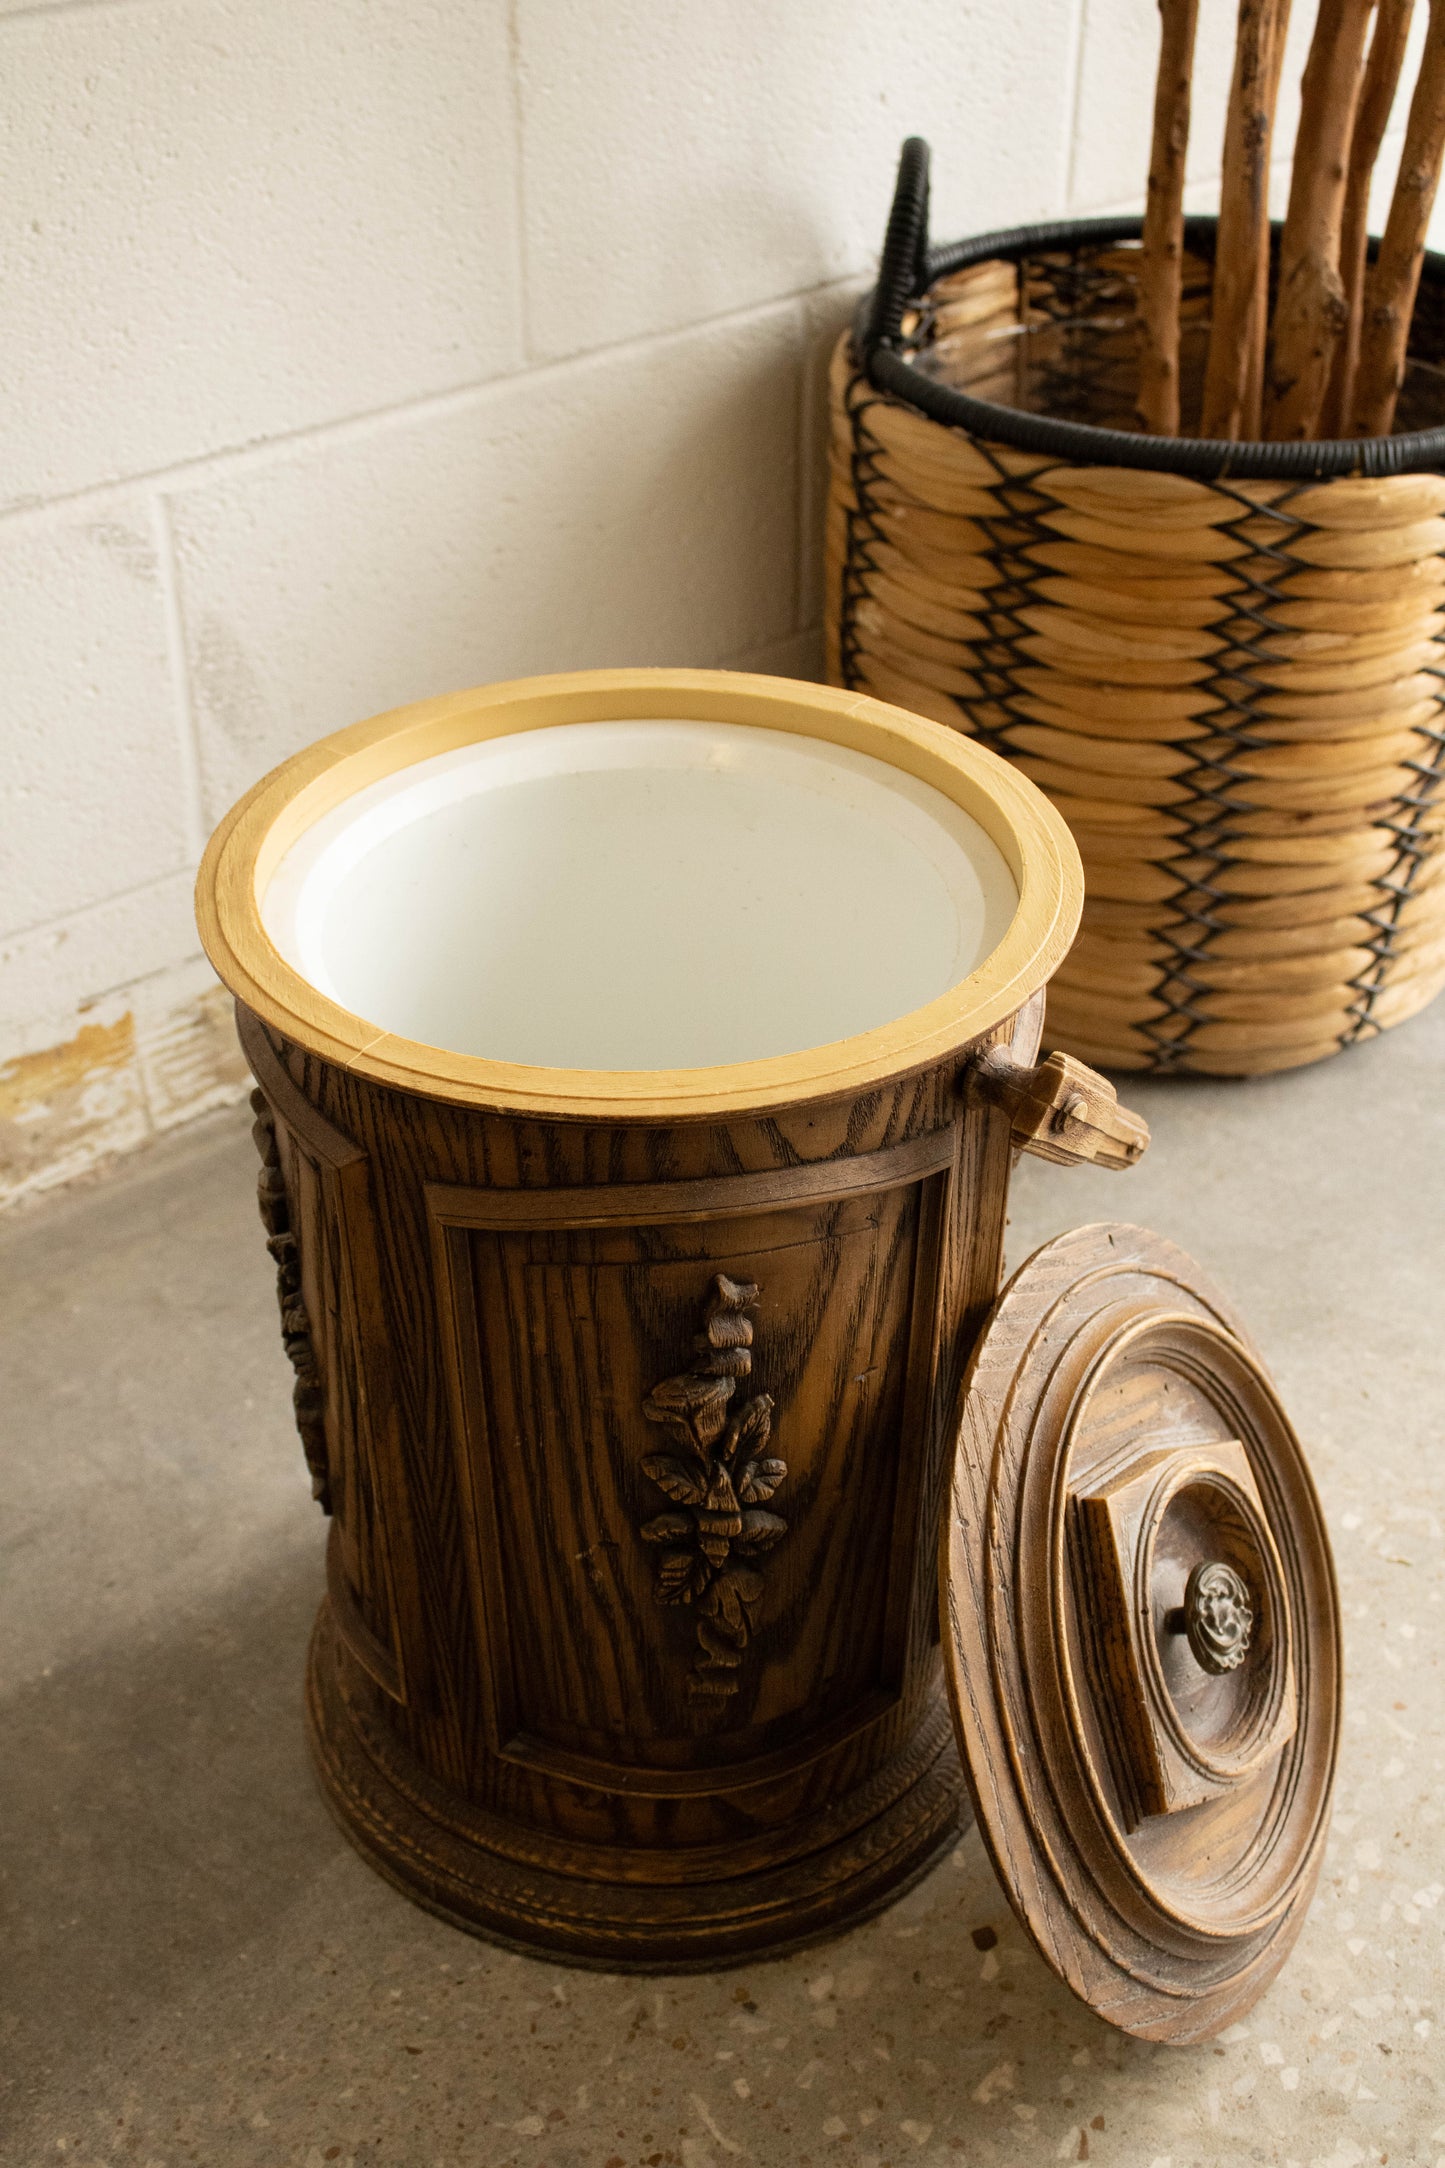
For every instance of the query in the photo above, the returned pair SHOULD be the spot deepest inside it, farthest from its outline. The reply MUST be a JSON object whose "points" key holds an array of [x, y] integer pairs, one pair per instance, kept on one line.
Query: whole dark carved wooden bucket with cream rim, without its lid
{"points": [[629, 1391]]}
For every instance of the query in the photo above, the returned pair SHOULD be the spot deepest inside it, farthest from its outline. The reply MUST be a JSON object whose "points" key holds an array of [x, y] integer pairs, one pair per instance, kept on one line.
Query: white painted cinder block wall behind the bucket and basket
{"points": [[359, 350]]}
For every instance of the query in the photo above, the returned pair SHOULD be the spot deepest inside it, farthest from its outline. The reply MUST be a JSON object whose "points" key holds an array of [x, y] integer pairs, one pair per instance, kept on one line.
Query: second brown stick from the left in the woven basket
{"points": [[1242, 250]]}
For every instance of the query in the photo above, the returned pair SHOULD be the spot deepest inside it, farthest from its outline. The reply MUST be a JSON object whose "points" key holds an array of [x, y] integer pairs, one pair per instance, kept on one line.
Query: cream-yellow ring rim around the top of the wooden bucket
{"points": [[259, 831]]}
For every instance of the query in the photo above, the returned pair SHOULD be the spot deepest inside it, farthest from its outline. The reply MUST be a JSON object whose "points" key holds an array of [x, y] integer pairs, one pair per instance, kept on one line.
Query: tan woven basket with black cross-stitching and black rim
{"points": [[1223, 662]]}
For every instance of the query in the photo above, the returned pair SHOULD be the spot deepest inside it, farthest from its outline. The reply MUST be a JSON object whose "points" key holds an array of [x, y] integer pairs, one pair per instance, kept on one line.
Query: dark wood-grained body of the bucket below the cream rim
{"points": [[541, 1291]]}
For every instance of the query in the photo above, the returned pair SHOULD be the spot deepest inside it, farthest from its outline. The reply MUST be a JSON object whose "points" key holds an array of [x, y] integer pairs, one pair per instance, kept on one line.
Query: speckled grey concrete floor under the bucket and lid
{"points": [[198, 1970]]}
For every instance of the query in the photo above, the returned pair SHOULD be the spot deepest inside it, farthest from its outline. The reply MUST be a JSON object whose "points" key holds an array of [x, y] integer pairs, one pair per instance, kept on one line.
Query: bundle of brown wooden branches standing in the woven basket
{"points": [[1333, 359]]}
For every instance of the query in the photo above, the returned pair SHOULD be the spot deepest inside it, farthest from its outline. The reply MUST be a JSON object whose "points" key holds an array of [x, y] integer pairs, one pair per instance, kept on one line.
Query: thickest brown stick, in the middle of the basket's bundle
{"points": [[1310, 313]]}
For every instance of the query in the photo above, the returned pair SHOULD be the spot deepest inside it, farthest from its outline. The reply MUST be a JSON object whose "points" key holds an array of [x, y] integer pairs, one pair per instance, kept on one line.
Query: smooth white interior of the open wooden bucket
{"points": [[640, 896]]}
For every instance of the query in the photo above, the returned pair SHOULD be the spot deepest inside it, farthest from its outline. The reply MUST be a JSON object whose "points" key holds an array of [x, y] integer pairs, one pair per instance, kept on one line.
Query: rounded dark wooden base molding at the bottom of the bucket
{"points": [[768, 1894]]}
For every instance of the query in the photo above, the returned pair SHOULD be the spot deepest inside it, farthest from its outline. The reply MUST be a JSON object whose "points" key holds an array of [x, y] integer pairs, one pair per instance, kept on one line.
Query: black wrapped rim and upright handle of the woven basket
{"points": [[911, 268]]}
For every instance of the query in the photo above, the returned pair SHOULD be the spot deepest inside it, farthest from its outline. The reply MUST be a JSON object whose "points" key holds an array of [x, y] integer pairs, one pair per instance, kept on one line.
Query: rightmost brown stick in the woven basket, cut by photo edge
{"points": [[1390, 289]]}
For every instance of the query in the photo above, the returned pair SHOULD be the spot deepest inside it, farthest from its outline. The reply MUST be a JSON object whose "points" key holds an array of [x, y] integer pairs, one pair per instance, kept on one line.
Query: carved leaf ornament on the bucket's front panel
{"points": [[718, 1477]]}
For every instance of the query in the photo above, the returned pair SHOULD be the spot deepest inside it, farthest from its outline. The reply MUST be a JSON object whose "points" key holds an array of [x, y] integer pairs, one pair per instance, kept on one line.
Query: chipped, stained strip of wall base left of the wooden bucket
{"points": [[144, 1061]]}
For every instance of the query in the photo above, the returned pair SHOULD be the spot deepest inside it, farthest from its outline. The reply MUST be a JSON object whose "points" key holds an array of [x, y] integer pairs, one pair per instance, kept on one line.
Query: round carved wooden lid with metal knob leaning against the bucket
{"points": [[1141, 1634]]}
